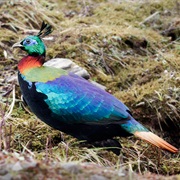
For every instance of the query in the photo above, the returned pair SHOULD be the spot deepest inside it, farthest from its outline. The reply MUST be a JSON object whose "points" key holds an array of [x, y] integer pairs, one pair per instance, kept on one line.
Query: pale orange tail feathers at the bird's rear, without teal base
{"points": [[156, 141]]}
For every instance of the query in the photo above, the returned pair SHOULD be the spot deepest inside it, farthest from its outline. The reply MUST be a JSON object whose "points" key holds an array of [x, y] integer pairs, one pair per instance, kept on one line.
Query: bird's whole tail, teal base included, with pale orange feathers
{"points": [[133, 127]]}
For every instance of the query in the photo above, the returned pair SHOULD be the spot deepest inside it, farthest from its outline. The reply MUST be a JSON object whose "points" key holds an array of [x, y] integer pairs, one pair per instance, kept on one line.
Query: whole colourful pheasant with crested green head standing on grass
{"points": [[72, 104]]}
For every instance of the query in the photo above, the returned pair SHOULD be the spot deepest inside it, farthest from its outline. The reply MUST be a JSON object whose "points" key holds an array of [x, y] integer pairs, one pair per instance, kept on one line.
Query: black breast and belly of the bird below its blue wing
{"points": [[36, 102]]}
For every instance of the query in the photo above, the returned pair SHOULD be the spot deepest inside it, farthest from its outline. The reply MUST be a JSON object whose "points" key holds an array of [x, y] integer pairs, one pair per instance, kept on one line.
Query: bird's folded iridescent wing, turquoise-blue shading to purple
{"points": [[76, 100]]}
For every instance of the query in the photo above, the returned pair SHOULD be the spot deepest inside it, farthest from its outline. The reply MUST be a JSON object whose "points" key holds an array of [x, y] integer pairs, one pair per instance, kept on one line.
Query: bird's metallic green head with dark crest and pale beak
{"points": [[34, 45]]}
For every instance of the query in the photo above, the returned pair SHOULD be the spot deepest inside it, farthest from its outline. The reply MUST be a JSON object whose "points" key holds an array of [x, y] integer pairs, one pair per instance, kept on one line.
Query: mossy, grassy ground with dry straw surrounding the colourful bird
{"points": [[132, 48]]}
